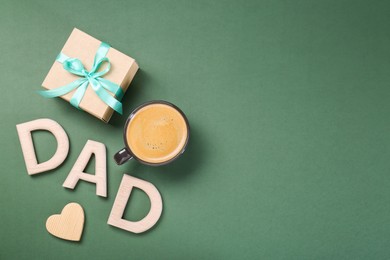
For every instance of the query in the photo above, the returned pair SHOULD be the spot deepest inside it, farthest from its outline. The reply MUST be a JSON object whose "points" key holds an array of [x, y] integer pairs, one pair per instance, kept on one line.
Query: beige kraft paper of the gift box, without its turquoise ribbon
{"points": [[84, 47]]}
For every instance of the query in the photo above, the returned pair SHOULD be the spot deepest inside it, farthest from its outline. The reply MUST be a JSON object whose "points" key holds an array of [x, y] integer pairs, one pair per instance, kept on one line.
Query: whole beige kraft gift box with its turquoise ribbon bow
{"points": [[91, 75]]}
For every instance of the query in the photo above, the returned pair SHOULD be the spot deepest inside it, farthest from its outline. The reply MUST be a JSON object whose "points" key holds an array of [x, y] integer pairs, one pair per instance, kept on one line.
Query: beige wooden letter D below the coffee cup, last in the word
{"points": [[124, 191]]}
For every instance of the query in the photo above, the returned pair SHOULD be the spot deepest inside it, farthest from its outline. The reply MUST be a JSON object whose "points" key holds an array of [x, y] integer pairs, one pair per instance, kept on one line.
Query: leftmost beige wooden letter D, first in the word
{"points": [[26, 142]]}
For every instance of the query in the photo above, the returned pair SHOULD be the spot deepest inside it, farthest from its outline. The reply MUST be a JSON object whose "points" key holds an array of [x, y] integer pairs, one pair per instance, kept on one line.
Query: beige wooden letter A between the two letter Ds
{"points": [[91, 147]]}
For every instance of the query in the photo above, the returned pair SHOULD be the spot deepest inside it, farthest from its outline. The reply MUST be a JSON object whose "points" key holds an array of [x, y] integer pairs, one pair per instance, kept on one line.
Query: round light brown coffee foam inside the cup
{"points": [[156, 133]]}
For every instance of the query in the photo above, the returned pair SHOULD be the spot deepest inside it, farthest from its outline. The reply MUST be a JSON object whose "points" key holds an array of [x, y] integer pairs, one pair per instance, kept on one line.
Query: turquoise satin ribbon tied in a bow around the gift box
{"points": [[92, 77]]}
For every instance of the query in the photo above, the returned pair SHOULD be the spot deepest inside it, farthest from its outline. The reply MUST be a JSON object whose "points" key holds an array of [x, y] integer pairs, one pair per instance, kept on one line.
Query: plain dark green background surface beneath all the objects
{"points": [[289, 105]]}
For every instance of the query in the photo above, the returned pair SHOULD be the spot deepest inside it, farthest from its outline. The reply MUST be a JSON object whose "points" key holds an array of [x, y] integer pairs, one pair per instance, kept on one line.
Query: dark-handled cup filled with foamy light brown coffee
{"points": [[155, 133]]}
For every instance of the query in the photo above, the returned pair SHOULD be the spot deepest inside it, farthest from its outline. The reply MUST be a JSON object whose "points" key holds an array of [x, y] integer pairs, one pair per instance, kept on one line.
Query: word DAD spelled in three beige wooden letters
{"points": [[99, 178]]}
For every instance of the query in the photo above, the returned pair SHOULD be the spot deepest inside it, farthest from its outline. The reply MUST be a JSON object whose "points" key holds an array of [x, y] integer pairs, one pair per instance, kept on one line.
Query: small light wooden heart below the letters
{"points": [[69, 224]]}
